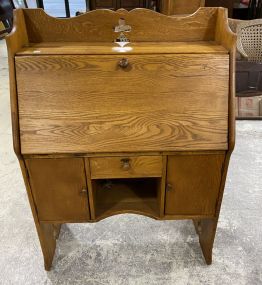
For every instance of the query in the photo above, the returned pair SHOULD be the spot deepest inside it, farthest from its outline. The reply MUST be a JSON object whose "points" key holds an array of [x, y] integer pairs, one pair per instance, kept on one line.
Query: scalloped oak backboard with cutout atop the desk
{"points": [[97, 26]]}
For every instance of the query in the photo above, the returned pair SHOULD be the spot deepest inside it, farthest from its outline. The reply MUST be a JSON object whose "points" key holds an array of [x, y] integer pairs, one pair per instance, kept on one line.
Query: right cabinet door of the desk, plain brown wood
{"points": [[193, 183]]}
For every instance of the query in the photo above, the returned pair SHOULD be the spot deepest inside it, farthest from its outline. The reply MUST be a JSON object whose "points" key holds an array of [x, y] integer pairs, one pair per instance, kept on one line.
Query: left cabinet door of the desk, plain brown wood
{"points": [[59, 189]]}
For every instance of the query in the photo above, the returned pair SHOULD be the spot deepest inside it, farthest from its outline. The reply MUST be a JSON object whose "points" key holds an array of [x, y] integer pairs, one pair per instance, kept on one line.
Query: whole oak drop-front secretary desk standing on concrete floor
{"points": [[99, 129]]}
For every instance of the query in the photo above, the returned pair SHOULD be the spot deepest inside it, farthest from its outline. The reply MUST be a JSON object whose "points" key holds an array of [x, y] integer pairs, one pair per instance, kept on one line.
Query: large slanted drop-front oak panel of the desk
{"points": [[64, 108]]}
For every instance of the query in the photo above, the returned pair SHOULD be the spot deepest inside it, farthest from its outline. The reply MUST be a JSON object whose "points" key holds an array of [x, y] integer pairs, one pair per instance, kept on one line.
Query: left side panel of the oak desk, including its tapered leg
{"points": [[15, 41]]}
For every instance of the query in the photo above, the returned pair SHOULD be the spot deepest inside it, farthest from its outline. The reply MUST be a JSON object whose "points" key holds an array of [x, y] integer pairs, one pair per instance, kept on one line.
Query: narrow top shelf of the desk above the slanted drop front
{"points": [[54, 48]]}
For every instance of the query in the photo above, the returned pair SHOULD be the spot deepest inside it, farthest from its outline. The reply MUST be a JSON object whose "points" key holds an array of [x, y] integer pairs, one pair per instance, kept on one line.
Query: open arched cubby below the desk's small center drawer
{"points": [[126, 195]]}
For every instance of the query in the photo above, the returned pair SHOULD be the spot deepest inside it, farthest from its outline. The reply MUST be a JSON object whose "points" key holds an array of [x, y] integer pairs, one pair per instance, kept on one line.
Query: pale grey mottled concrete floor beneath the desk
{"points": [[130, 249]]}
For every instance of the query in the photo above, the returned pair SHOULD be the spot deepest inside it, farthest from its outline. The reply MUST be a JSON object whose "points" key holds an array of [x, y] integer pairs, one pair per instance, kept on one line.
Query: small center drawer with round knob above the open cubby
{"points": [[126, 167]]}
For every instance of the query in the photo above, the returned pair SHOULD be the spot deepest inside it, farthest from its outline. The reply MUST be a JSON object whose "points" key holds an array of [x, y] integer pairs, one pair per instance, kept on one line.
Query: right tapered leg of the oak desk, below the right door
{"points": [[206, 230]]}
